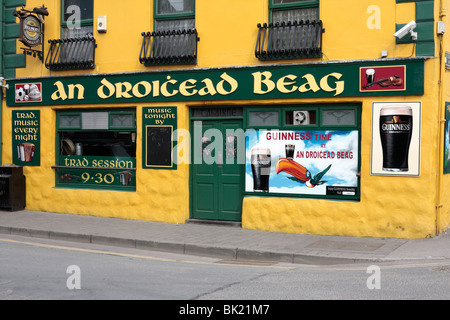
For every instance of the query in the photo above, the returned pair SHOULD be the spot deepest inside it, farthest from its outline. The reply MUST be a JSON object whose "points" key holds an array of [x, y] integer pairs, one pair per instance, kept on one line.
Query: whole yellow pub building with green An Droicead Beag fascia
{"points": [[296, 116]]}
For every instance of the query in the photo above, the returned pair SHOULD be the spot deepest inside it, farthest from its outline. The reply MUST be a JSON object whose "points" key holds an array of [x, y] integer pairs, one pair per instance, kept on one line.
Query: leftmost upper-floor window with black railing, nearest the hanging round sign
{"points": [[76, 48]]}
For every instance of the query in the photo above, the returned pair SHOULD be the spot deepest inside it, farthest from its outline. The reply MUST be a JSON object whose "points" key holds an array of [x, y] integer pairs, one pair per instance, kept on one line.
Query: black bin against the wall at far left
{"points": [[12, 188]]}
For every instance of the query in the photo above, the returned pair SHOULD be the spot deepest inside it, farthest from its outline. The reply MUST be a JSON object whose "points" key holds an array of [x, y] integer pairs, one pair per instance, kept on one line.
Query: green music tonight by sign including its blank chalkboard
{"points": [[159, 125]]}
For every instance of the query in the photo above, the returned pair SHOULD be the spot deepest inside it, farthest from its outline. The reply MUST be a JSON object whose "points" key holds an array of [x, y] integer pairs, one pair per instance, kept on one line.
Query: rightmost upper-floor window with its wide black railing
{"points": [[294, 31]]}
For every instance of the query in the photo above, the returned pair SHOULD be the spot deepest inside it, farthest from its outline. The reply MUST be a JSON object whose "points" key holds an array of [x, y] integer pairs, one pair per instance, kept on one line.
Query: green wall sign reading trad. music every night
{"points": [[26, 141]]}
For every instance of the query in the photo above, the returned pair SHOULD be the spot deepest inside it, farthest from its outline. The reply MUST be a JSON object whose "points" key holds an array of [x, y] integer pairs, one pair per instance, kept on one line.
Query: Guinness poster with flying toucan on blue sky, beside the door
{"points": [[313, 162]]}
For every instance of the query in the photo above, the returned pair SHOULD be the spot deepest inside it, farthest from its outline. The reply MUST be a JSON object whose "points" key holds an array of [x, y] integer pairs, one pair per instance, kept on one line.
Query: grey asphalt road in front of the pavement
{"points": [[38, 269]]}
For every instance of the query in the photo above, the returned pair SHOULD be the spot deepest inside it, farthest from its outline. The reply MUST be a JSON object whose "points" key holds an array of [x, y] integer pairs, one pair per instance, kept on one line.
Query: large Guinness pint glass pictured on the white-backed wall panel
{"points": [[396, 124]]}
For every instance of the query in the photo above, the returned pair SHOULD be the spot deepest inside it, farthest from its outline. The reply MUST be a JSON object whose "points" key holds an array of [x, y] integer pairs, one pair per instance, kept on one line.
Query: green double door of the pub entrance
{"points": [[217, 168]]}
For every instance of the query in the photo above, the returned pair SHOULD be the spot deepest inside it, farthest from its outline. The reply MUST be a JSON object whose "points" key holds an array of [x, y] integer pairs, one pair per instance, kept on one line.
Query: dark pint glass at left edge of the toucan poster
{"points": [[260, 162]]}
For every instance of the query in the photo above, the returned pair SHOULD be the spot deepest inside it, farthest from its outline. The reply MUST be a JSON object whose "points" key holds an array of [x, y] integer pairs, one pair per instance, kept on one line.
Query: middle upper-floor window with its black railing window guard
{"points": [[175, 38]]}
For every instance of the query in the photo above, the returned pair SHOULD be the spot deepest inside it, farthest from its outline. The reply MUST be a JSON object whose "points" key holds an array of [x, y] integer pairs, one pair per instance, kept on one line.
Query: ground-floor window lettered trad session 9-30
{"points": [[96, 149]]}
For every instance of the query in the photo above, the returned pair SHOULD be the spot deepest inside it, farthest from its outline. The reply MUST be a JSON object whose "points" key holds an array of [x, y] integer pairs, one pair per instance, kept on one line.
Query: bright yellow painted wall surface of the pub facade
{"points": [[389, 207]]}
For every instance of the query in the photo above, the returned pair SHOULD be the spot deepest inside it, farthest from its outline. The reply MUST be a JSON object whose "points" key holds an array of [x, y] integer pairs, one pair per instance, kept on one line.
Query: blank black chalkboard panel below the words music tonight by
{"points": [[159, 146]]}
